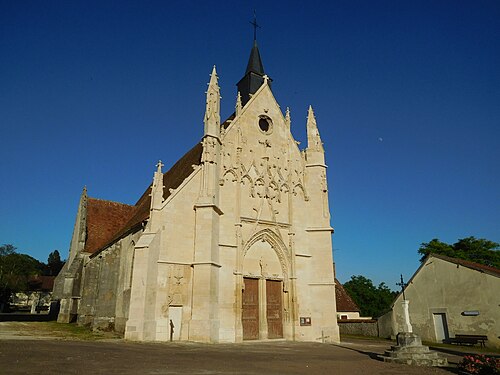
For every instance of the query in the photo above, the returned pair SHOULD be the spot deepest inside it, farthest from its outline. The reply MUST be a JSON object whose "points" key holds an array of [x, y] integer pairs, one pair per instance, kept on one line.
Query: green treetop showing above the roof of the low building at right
{"points": [[476, 250]]}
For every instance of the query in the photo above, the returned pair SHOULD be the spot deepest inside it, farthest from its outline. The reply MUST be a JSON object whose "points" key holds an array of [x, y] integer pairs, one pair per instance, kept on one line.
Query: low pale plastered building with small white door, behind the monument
{"points": [[449, 297]]}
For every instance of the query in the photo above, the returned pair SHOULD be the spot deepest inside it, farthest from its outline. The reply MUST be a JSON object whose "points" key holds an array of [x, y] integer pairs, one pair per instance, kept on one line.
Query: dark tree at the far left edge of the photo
{"points": [[15, 272]]}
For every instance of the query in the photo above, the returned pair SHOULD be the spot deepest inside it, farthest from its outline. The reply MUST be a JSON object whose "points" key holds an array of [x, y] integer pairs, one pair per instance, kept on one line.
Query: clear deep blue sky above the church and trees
{"points": [[406, 94]]}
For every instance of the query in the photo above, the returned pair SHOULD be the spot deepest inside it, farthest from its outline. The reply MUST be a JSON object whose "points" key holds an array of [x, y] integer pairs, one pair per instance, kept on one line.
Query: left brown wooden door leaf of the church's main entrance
{"points": [[250, 311]]}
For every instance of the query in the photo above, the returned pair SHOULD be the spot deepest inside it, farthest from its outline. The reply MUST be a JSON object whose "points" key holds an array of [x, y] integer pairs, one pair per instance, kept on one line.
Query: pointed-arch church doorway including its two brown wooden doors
{"points": [[264, 275]]}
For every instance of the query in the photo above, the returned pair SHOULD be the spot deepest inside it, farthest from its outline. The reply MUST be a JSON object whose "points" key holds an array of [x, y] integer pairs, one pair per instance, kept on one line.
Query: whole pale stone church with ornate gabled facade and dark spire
{"points": [[232, 243]]}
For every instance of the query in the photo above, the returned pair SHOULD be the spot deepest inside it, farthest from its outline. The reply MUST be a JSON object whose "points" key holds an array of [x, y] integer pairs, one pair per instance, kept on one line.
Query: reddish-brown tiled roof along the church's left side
{"points": [[107, 222]]}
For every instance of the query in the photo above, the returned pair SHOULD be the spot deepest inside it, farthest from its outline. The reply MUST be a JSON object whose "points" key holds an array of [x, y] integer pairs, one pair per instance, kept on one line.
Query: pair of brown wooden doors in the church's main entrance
{"points": [[255, 313]]}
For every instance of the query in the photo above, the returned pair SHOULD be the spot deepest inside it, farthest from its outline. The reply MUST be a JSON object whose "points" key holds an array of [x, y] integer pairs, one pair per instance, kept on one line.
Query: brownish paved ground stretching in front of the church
{"points": [[32, 354]]}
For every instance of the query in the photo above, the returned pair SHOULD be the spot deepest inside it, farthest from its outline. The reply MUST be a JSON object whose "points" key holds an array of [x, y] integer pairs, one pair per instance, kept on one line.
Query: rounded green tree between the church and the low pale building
{"points": [[373, 301]]}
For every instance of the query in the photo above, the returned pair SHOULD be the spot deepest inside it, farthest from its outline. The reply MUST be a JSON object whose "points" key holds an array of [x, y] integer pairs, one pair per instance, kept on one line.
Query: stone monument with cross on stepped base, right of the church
{"points": [[409, 349]]}
